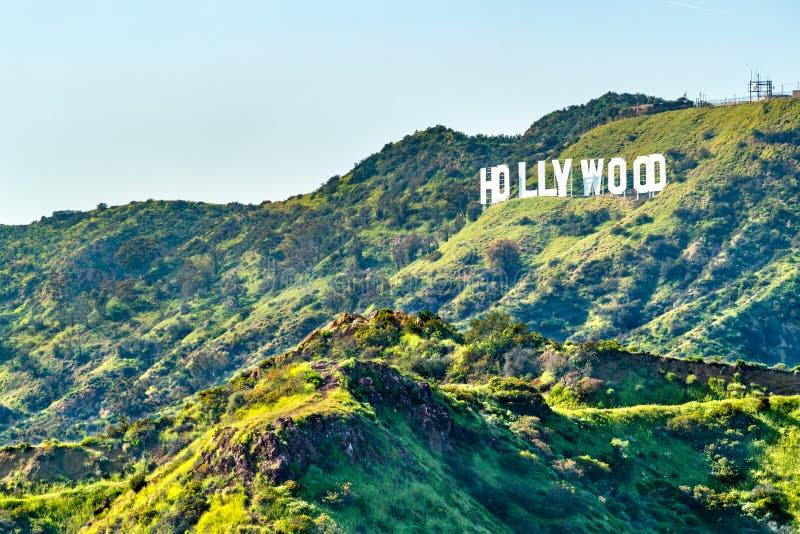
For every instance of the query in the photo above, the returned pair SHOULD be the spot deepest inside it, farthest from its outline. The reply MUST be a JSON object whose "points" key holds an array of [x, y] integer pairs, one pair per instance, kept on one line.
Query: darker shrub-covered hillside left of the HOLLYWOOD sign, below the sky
{"points": [[85, 338]]}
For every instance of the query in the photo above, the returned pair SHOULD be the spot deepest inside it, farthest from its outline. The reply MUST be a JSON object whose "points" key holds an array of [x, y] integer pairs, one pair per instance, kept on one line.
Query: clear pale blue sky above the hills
{"points": [[247, 100]]}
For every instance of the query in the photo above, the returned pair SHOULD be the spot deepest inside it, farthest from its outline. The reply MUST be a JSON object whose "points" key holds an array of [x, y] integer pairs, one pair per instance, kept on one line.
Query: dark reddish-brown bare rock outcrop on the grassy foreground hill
{"points": [[284, 449]]}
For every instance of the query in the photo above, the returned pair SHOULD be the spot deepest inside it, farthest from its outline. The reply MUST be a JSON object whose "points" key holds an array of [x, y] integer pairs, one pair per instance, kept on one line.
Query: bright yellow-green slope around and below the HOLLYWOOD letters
{"points": [[708, 267]]}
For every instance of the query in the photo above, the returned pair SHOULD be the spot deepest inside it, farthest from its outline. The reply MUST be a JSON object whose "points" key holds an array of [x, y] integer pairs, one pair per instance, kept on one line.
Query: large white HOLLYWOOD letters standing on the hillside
{"points": [[649, 177]]}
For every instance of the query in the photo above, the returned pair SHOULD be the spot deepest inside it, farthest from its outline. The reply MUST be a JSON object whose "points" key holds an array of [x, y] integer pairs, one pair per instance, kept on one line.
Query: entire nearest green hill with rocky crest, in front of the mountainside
{"points": [[342, 434]]}
